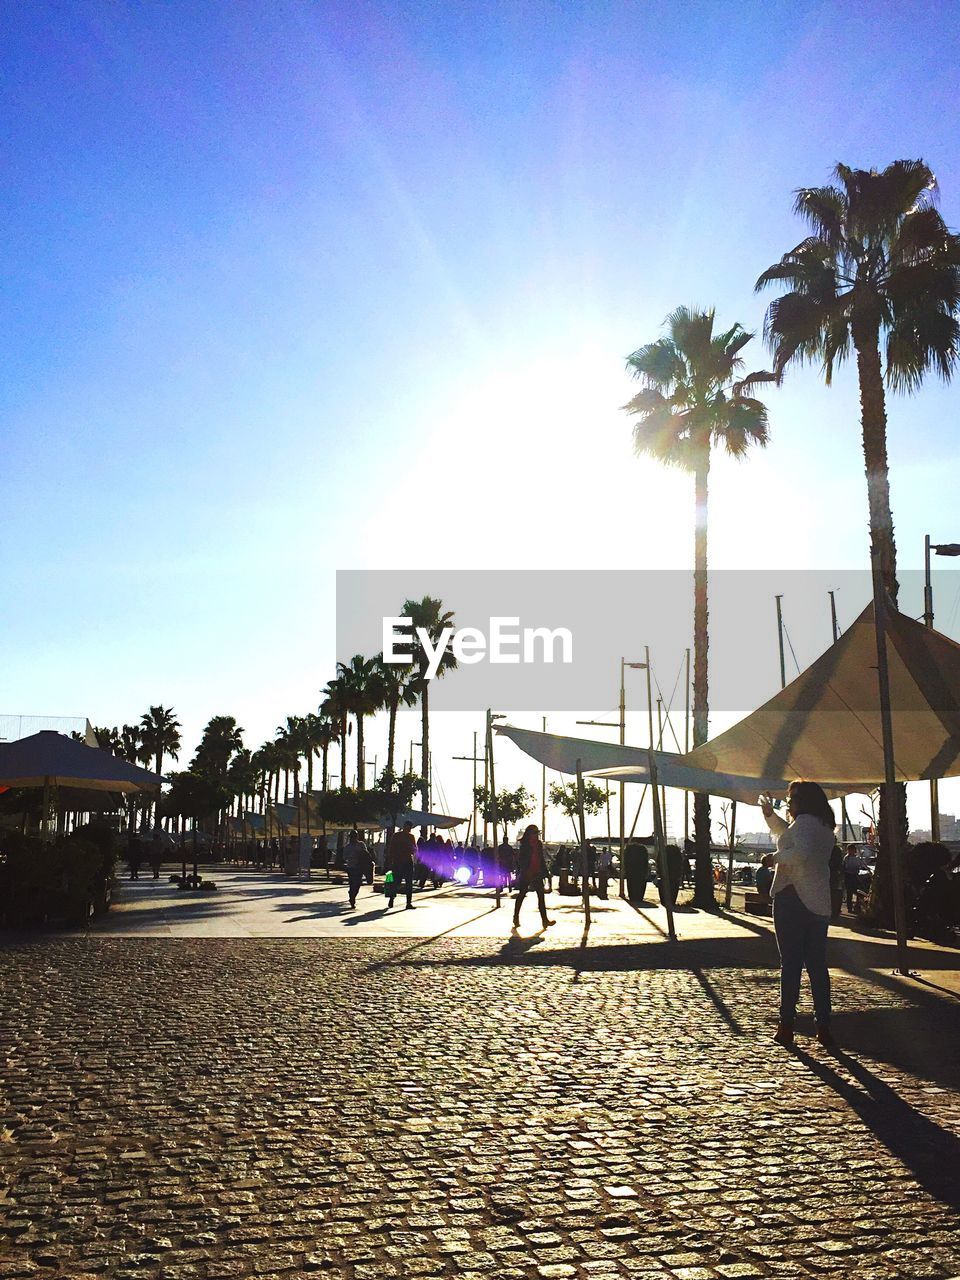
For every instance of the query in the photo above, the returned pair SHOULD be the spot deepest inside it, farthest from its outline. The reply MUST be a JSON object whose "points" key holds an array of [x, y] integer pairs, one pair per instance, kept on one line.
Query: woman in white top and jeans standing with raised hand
{"points": [[802, 903]]}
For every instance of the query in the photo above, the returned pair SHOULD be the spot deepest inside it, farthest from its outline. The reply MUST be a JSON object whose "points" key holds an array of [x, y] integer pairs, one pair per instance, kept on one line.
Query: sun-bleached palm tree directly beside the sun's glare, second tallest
{"points": [[689, 403]]}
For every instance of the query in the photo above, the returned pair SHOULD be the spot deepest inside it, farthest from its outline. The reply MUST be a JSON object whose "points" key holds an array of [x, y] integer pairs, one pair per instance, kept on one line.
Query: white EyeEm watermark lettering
{"points": [[504, 643]]}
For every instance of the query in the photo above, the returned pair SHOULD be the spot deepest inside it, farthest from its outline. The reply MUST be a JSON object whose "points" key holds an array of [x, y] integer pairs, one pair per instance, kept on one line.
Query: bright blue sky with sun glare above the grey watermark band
{"points": [[301, 287]]}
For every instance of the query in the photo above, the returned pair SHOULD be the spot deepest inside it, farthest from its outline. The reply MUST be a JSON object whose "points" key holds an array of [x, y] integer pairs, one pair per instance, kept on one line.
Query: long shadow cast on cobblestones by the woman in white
{"points": [[931, 1153]]}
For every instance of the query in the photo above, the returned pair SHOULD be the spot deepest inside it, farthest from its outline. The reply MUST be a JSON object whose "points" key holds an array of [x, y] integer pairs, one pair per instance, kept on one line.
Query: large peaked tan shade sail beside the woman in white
{"points": [[826, 724]]}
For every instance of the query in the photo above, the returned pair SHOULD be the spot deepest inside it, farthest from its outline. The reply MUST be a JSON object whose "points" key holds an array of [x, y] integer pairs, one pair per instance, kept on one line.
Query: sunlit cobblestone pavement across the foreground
{"points": [[378, 1108]]}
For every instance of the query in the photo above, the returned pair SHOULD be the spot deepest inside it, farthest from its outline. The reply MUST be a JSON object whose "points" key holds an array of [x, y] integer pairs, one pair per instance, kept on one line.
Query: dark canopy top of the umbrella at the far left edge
{"points": [[53, 758]]}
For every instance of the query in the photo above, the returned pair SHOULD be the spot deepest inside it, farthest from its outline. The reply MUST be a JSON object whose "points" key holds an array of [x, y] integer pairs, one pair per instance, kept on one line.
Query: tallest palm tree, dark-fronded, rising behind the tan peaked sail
{"points": [[880, 273]]}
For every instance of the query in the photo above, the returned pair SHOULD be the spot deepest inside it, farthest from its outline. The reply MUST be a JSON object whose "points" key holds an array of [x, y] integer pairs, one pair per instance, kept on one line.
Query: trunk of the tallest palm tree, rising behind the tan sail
{"points": [[874, 424]]}
